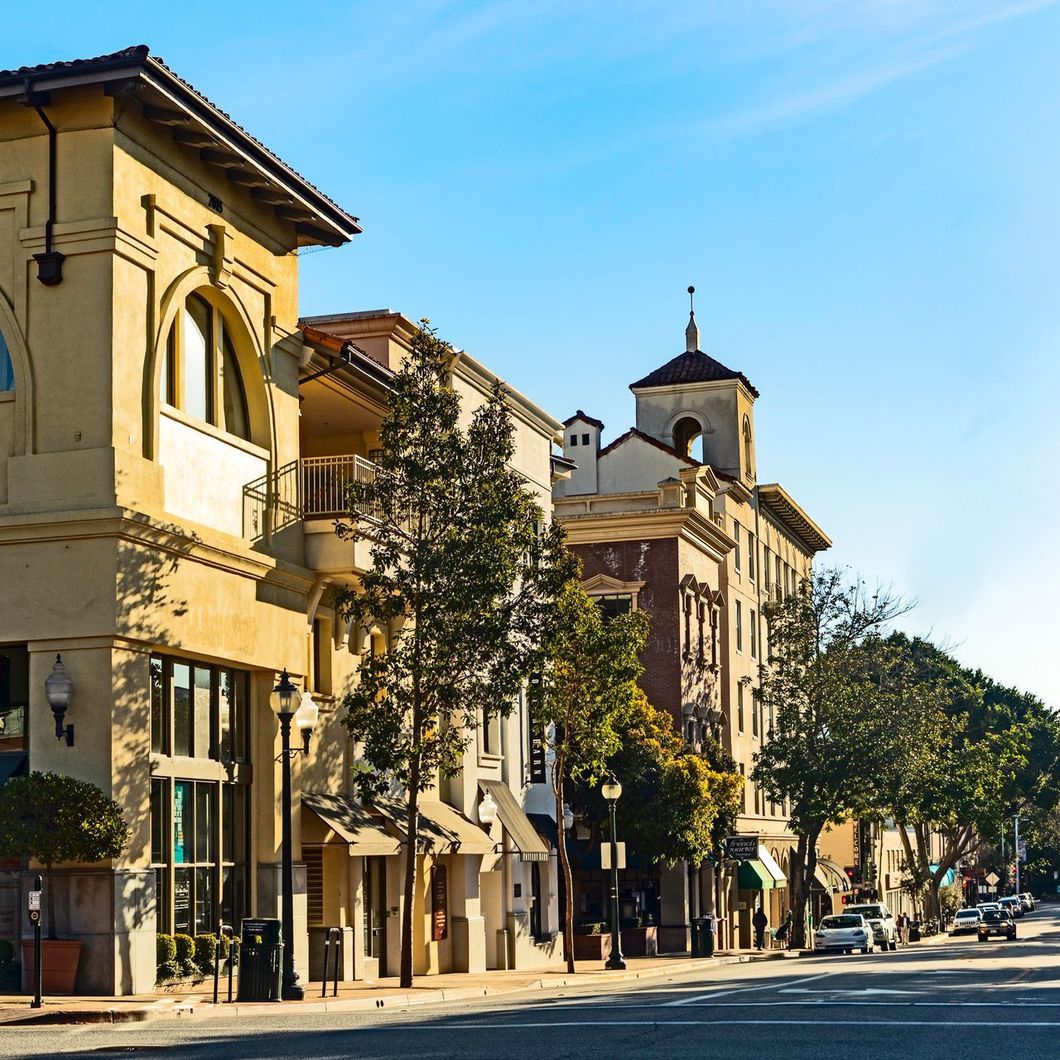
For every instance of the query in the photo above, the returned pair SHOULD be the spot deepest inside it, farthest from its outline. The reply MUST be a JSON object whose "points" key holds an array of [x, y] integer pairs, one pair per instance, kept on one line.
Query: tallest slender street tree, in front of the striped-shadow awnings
{"points": [[465, 577]]}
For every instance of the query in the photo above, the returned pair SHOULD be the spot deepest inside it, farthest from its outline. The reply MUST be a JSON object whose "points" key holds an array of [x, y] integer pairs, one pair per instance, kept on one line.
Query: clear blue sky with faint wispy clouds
{"points": [[865, 195]]}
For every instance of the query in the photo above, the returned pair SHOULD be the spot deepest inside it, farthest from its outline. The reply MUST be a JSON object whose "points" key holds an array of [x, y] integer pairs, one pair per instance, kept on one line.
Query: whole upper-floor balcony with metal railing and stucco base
{"points": [[313, 491]]}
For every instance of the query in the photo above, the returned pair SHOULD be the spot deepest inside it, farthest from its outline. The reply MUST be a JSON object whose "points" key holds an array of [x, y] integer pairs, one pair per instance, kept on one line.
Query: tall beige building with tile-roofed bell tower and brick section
{"points": [[672, 517]]}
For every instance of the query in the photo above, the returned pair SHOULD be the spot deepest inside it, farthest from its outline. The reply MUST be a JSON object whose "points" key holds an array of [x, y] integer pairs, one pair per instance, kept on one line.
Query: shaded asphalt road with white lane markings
{"points": [[959, 999]]}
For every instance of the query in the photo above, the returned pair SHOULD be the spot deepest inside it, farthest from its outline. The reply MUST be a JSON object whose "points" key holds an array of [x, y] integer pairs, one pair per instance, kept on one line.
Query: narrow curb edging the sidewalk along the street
{"points": [[205, 1010]]}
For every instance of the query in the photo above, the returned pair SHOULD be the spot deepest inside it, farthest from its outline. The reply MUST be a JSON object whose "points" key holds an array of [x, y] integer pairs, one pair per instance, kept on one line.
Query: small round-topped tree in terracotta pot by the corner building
{"points": [[55, 819]]}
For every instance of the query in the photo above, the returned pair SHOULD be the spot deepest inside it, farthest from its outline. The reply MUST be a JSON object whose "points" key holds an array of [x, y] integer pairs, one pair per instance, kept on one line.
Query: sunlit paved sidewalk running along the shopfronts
{"points": [[356, 997]]}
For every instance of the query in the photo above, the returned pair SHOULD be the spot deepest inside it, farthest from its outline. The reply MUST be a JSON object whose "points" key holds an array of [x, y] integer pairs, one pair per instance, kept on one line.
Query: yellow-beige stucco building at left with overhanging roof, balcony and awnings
{"points": [[173, 443]]}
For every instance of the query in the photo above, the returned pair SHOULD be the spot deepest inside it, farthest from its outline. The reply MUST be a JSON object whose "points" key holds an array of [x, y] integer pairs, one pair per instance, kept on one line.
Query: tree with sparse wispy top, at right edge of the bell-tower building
{"points": [[818, 681]]}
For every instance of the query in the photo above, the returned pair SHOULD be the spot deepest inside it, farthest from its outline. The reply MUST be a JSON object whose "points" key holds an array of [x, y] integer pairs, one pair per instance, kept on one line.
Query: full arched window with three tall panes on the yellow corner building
{"points": [[201, 374]]}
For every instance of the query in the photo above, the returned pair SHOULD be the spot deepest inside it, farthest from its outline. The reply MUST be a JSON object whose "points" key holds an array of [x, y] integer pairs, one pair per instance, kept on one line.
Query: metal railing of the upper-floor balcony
{"points": [[311, 488]]}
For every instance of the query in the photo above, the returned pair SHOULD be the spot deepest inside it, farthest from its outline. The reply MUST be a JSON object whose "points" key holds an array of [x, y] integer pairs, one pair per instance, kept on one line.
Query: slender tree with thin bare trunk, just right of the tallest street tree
{"points": [[589, 691]]}
